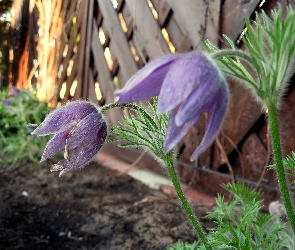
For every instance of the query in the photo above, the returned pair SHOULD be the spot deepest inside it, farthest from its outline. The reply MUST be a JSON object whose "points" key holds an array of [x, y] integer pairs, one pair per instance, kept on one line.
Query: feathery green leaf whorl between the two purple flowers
{"points": [[146, 130]]}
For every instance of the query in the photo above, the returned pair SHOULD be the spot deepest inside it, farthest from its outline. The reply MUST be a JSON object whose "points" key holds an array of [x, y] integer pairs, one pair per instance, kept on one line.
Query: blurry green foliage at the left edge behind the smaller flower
{"points": [[16, 143]]}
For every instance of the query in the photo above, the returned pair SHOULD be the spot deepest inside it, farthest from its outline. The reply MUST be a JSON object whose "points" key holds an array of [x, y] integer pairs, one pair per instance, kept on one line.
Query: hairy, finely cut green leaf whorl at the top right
{"points": [[269, 56]]}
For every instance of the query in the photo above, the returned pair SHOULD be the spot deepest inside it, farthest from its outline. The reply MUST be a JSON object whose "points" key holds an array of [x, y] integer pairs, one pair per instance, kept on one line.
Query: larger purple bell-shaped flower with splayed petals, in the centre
{"points": [[187, 85]]}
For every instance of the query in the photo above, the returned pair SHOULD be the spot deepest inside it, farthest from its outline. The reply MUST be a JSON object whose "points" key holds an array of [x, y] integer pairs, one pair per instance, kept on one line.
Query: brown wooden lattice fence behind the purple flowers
{"points": [[100, 44]]}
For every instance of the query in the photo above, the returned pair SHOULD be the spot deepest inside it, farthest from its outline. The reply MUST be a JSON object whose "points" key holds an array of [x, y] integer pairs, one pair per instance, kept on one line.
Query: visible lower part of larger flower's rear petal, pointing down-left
{"points": [[175, 133]]}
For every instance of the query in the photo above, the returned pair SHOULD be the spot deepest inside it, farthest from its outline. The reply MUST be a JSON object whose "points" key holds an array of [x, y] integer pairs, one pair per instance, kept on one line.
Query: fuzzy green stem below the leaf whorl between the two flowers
{"points": [[193, 219]]}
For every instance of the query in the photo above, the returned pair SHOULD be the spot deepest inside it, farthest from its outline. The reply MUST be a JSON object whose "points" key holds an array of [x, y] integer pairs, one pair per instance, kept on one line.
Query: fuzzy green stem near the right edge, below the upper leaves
{"points": [[277, 151]]}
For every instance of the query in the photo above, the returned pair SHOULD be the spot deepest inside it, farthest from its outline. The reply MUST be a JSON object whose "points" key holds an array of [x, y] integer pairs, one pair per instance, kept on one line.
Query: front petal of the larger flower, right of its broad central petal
{"points": [[199, 101]]}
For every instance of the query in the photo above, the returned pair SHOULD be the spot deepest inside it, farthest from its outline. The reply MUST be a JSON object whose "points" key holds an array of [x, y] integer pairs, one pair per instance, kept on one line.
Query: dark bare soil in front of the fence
{"points": [[95, 208]]}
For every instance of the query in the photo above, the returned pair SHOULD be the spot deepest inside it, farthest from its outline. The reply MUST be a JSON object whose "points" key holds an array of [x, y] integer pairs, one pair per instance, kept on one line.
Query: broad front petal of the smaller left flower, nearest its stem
{"points": [[85, 131]]}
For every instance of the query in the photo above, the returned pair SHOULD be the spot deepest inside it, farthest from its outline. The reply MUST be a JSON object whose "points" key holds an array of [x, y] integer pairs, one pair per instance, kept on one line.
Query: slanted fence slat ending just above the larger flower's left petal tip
{"points": [[121, 47]]}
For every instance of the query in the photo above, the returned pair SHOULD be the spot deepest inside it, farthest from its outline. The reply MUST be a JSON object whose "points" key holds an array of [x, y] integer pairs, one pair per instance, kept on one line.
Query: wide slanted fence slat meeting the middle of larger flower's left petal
{"points": [[155, 43]]}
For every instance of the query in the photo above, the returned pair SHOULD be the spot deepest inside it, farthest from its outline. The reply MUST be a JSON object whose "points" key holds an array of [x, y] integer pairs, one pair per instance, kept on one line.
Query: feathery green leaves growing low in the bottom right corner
{"points": [[240, 225]]}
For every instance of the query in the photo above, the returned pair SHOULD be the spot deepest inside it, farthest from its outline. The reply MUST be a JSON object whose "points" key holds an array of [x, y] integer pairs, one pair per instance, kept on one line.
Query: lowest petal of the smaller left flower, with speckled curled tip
{"points": [[82, 156]]}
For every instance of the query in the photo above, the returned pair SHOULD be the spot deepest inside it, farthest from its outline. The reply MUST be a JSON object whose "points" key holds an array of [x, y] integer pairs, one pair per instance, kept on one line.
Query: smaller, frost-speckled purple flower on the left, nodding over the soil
{"points": [[79, 129]]}
